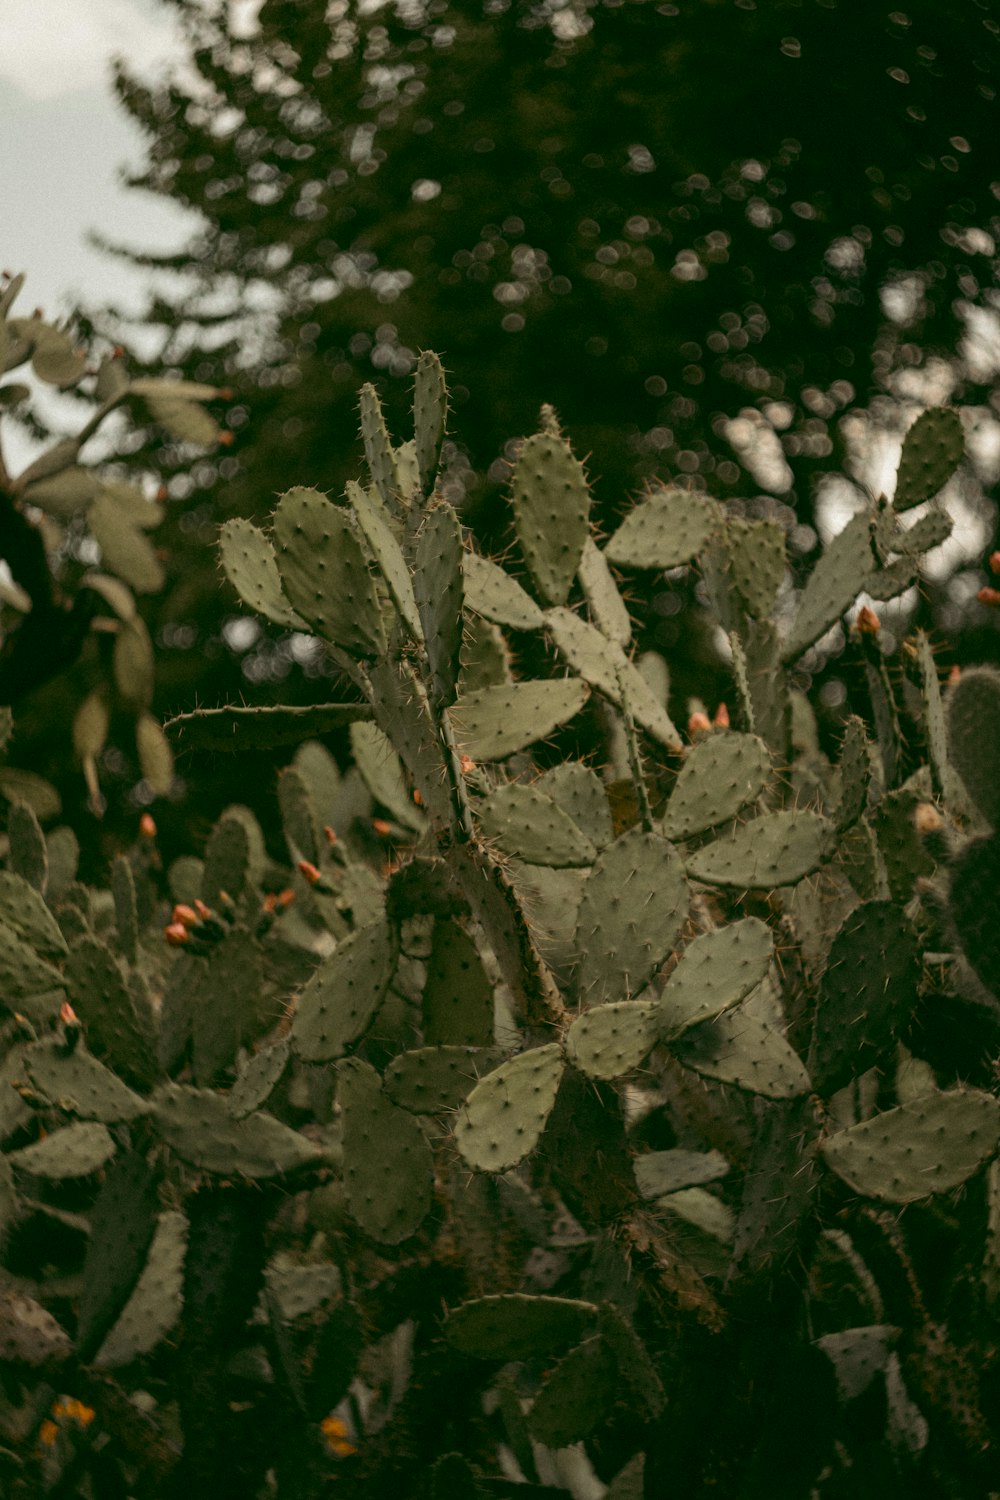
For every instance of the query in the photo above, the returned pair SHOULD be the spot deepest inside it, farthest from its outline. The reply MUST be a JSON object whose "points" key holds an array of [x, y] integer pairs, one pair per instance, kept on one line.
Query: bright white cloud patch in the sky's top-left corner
{"points": [[56, 47]]}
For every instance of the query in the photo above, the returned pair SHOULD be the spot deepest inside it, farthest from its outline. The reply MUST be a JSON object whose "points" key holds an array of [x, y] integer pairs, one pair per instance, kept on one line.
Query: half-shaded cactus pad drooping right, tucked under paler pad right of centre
{"points": [[741, 1049]]}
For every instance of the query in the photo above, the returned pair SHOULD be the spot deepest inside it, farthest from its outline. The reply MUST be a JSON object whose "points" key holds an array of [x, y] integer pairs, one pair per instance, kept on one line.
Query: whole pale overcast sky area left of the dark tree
{"points": [[64, 142]]}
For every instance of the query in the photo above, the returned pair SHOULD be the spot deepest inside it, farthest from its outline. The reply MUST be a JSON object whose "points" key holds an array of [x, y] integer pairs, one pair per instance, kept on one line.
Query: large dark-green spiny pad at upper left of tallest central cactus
{"points": [[325, 572]]}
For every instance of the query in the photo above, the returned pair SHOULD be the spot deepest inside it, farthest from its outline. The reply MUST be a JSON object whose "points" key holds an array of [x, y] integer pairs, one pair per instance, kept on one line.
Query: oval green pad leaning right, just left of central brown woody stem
{"points": [[344, 994]]}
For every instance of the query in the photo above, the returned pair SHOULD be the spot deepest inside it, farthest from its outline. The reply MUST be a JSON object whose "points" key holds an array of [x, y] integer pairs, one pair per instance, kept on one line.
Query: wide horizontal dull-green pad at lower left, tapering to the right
{"points": [[197, 1124]]}
